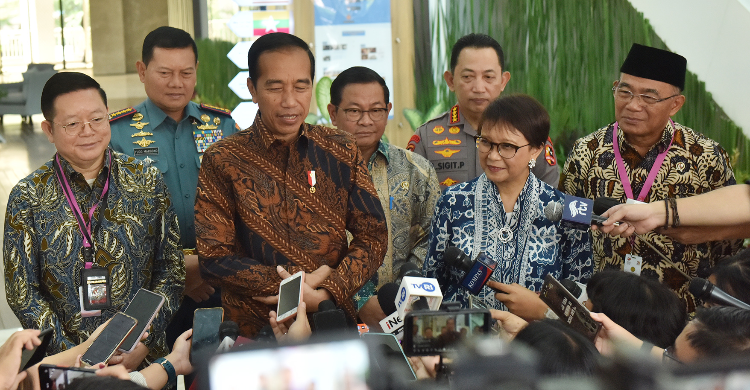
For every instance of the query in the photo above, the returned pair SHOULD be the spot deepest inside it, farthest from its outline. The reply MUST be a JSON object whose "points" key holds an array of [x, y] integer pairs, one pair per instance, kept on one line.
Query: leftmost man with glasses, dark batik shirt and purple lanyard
{"points": [[87, 216]]}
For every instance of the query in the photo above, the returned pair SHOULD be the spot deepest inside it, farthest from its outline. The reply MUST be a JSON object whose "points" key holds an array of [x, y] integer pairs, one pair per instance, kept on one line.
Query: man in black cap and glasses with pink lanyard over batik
{"points": [[647, 157]]}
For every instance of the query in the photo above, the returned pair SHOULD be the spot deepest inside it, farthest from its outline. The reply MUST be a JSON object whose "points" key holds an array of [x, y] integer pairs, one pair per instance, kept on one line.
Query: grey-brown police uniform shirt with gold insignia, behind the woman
{"points": [[448, 142]]}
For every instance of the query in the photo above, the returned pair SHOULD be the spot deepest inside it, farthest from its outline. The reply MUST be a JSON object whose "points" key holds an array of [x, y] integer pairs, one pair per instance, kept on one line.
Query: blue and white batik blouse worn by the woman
{"points": [[470, 216]]}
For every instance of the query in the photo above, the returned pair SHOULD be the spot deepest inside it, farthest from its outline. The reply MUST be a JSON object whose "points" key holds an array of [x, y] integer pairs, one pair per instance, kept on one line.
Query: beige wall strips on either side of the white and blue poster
{"points": [[402, 31]]}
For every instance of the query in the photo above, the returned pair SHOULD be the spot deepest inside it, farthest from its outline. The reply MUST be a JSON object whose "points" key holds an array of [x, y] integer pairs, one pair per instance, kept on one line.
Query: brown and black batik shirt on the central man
{"points": [[258, 206]]}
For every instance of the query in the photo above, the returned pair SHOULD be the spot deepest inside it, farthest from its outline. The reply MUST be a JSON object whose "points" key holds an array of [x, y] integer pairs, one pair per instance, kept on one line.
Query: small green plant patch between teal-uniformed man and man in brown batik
{"points": [[215, 71]]}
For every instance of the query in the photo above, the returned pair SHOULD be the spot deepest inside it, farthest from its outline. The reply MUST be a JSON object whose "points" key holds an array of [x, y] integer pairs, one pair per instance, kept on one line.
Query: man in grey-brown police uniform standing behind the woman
{"points": [[477, 78]]}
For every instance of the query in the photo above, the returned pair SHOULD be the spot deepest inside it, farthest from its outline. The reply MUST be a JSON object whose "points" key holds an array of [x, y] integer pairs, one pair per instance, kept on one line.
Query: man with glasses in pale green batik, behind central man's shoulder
{"points": [[407, 184]]}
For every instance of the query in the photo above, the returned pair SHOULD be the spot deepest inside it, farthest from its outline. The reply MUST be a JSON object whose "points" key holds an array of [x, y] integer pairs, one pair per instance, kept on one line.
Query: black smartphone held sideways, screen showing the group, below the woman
{"points": [[429, 333]]}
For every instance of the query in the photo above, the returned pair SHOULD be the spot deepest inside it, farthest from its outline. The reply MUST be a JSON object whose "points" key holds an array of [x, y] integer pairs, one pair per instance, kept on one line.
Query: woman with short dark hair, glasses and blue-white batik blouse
{"points": [[509, 215]]}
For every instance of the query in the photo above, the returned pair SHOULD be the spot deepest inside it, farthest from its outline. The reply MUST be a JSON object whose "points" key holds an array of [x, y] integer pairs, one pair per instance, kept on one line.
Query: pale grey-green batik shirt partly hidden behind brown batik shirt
{"points": [[408, 190]]}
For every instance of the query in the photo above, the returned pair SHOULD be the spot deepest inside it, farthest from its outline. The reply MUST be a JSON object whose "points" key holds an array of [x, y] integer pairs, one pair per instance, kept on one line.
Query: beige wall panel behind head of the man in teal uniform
{"points": [[118, 28]]}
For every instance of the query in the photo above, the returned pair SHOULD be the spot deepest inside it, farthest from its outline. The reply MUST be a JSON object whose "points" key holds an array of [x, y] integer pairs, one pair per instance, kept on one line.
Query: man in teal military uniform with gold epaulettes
{"points": [[171, 132]]}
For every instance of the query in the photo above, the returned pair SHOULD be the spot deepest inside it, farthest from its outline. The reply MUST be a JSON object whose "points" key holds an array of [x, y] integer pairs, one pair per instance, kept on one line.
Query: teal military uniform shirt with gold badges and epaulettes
{"points": [[173, 147]]}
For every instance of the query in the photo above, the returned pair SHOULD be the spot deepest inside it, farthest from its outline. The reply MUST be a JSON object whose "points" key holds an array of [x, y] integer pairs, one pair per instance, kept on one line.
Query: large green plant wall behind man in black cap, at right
{"points": [[566, 54]]}
